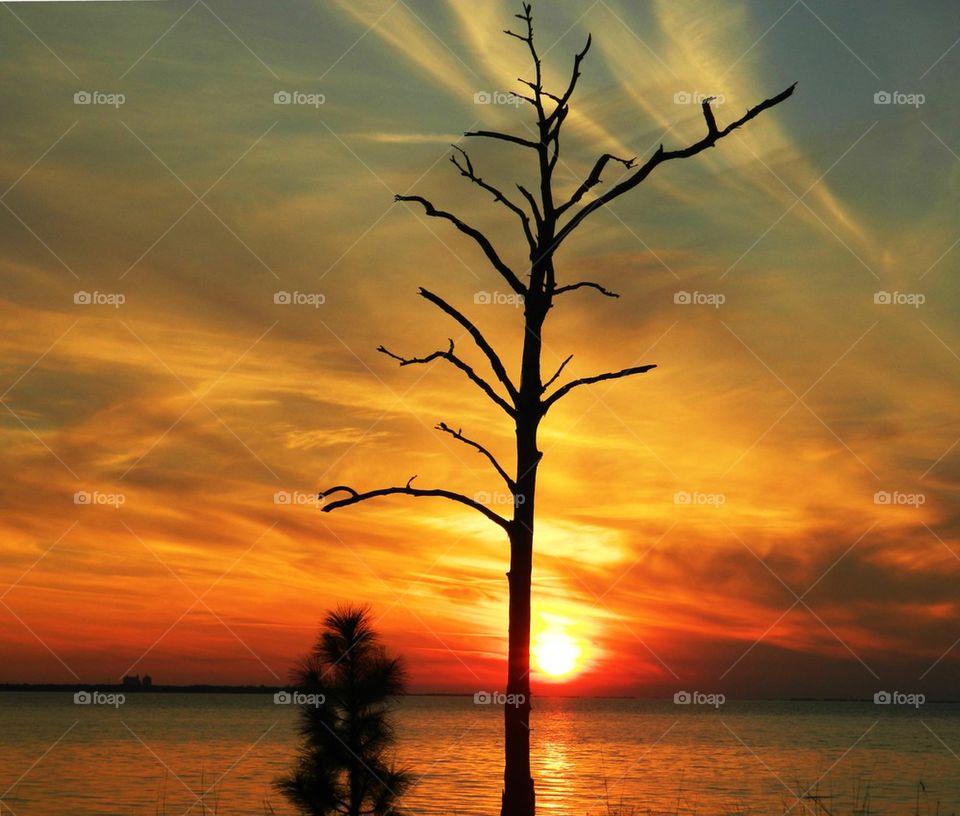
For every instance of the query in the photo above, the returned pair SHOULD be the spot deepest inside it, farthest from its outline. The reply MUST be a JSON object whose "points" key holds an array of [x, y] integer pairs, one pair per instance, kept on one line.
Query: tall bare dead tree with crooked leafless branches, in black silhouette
{"points": [[546, 222]]}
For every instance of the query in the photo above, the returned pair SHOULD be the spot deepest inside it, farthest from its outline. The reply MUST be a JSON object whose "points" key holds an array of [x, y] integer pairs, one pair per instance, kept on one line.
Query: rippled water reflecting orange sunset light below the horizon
{"points": [[157, 752]]}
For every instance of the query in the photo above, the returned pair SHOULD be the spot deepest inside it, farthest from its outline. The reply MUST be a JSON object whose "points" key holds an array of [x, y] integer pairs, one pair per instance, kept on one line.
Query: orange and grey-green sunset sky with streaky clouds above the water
{"points": [[782, 411]]}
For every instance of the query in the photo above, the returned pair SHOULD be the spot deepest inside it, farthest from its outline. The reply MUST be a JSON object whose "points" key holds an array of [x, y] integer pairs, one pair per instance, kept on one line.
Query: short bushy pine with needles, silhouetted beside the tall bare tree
{"points": [[342, 768]]}
